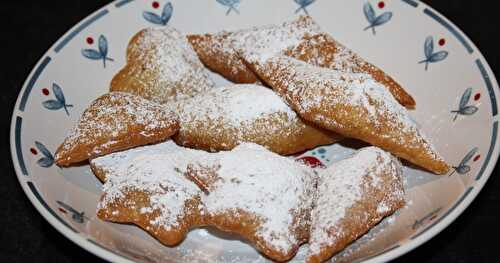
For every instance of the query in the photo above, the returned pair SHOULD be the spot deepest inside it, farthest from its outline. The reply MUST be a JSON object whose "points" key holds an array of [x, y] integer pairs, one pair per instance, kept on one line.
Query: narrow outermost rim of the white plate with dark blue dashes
{"points": [[386, 255]]}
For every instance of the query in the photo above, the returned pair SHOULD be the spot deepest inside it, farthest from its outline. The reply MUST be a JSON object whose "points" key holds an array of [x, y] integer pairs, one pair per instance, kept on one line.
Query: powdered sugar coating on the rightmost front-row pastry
{"points": [[344, 184]]}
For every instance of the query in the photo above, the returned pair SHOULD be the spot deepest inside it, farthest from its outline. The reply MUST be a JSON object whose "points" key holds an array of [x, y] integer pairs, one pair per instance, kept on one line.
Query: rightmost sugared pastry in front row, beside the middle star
{"points": [[353, 196]]}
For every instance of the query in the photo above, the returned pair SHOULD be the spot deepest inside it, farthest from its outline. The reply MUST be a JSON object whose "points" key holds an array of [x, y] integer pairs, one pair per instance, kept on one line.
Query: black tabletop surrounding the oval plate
{"points": [[29, 28]]}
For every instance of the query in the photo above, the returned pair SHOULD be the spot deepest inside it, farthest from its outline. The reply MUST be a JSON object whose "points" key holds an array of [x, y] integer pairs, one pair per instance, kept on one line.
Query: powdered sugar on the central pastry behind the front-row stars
{"points": [[237, 110]]}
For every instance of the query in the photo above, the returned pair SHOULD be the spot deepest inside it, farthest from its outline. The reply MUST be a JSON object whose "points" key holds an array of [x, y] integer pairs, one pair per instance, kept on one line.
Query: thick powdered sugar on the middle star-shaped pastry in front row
{"points": [[272, 187]]}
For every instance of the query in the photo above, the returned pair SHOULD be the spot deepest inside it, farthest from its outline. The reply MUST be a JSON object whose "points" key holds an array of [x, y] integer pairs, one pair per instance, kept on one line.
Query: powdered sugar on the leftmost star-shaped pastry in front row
{"points": [[157, 170]]}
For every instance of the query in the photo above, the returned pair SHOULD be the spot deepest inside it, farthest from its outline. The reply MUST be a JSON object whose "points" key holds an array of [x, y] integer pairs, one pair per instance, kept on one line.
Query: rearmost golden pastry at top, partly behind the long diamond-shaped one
{"points": [[301, 38]]}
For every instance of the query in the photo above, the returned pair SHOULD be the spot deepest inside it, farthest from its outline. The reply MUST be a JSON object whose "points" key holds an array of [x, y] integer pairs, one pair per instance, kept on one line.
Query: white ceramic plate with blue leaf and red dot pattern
{"points": [[455, 90]]}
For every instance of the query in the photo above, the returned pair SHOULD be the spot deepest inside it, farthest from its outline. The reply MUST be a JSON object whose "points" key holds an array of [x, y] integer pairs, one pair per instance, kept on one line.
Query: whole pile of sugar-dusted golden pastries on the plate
{"points": [[175, 152]]}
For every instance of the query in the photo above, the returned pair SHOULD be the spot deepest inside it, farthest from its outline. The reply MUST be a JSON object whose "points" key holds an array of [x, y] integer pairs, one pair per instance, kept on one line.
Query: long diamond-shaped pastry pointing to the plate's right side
{"points": [[351, 104]]}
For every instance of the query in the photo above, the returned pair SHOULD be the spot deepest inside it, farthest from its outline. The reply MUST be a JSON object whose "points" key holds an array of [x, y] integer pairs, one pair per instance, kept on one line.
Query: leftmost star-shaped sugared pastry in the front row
{"points": [[148, 188]]}
